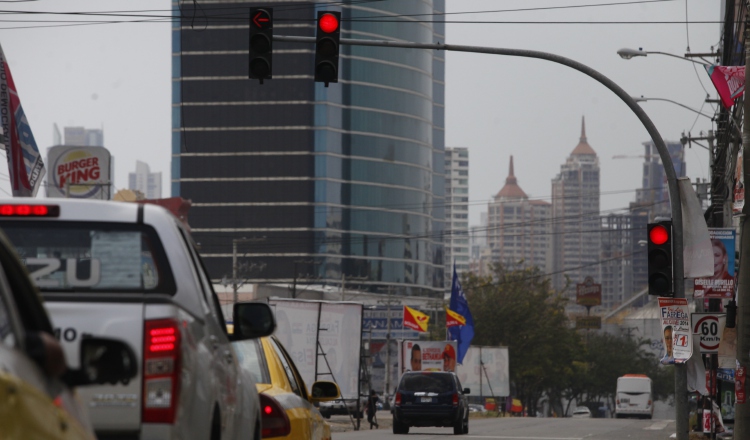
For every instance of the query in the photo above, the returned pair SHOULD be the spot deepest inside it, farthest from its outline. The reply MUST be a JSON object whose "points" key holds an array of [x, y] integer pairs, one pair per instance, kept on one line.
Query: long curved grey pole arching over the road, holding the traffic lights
{"points": [[681, 397]]}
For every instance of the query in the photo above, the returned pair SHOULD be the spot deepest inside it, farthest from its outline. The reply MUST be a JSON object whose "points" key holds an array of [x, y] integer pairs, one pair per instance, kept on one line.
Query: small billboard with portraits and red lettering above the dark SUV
{"points": [[427, 356]]}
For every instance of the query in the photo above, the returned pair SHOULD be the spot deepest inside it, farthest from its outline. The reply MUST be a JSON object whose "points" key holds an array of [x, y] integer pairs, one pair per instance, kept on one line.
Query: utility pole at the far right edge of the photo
{"points": [[742, 410]]}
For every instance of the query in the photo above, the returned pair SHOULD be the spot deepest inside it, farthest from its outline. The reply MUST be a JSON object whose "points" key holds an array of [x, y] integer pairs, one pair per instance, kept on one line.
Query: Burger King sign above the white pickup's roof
{"points": [[78, 172]]}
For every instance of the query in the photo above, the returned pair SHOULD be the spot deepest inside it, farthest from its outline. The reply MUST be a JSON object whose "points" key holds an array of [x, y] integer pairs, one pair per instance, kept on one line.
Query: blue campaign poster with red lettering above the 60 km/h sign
{"points": [[721, 284]]}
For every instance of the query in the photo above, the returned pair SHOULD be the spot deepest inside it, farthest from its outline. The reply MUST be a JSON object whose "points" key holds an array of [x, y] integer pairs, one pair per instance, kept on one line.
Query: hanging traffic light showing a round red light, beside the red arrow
{"points": [[327, 38]]}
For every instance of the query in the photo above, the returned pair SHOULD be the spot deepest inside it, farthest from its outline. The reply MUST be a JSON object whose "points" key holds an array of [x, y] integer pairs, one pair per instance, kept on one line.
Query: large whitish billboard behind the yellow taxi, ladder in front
{"points": [[301, 325]]}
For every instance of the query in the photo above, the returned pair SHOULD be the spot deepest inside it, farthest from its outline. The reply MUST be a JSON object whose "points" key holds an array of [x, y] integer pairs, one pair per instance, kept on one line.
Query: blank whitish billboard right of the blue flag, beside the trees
{"points": [[485, 371]]}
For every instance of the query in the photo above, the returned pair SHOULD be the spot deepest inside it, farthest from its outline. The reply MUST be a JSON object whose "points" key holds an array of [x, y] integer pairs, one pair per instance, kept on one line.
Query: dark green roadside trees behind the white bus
{"points": [[519, 309]]}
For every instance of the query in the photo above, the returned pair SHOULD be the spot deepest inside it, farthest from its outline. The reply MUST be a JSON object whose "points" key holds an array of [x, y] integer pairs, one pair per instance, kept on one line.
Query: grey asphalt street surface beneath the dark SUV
{"points": [[531, 428]]}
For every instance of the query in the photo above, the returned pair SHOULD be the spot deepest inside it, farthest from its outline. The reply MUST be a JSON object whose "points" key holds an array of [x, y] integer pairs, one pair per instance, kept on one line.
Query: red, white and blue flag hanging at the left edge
{"points": [[25, 164]]}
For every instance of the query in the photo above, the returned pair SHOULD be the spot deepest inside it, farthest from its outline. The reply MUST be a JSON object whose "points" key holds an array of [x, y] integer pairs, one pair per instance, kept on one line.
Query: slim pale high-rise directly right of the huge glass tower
{"points": [[456, 212]]}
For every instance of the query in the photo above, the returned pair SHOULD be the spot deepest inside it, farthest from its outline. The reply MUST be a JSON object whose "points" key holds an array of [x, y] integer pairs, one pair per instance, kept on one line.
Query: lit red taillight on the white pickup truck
{"points": [[161, 366]]}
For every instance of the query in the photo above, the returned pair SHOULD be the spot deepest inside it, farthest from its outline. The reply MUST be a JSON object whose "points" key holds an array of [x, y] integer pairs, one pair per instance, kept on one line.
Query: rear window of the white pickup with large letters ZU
{"points": [[96, 257]]}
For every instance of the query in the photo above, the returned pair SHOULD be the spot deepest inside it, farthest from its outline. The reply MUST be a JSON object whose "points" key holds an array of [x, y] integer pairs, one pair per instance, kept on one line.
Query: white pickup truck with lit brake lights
{"points": [[131, 271]]}
